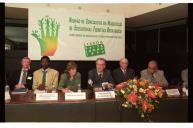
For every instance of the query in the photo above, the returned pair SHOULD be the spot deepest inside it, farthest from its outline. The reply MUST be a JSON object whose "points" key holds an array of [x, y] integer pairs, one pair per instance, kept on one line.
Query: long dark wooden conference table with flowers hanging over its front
{"points": [[25, 108]]}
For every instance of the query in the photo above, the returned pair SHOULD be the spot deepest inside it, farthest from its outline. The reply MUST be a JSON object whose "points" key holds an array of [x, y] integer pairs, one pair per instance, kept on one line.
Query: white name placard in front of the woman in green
{"points": [[75, 96]]}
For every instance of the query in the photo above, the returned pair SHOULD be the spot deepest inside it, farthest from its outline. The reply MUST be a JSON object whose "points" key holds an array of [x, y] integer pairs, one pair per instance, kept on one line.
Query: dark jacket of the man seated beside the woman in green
{"points": [[106, 77]]}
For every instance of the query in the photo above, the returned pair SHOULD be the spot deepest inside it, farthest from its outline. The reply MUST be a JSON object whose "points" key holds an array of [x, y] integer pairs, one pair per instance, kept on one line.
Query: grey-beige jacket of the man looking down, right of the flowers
{"points": [[158, 76]]}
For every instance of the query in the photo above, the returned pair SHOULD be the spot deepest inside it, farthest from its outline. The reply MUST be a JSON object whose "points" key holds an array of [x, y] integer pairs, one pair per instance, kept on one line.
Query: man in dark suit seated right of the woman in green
{"points": [[99, 75]]}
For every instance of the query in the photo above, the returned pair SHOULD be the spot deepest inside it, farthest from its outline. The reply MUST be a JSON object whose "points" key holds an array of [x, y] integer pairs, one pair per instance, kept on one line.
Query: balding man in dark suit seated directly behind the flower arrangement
{"points": [[123, 73]]}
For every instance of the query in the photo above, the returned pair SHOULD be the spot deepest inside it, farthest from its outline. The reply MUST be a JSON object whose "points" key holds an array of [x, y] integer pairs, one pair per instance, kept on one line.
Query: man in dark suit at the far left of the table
{"points": [[22, 78]]}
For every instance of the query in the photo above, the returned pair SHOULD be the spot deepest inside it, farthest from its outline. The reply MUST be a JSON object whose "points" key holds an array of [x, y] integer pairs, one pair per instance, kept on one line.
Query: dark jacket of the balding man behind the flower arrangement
{"points": [[120, 77]]}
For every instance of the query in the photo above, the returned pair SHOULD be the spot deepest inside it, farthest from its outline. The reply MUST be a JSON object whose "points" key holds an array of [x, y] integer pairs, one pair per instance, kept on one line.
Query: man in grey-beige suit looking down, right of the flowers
{"points": [[153, 74]]}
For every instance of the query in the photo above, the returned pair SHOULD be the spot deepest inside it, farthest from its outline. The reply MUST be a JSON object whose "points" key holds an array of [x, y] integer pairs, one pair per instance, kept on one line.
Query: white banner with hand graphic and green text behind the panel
{"points": [[75, 35]]}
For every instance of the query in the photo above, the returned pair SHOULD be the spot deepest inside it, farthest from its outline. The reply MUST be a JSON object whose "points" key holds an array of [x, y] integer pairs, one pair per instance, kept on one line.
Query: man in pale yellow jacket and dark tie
{"points": [[45, 78]]}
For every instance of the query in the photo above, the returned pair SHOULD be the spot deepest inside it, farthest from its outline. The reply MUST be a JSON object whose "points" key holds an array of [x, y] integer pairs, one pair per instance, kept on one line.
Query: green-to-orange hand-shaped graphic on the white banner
{"points": [[47, 36]]}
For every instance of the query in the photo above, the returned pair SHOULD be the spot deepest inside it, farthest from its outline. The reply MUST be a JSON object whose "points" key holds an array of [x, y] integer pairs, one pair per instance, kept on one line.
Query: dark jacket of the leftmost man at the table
{"points": [[13, 79]]}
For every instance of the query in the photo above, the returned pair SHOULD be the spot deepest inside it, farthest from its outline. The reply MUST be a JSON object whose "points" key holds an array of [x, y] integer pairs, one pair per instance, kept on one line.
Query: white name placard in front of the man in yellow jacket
{"points": [[46, 96]]}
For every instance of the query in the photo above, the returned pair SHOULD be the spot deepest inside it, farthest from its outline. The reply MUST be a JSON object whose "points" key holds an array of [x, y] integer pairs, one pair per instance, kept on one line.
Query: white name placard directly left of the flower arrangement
{"points": [[105, 95]]}
